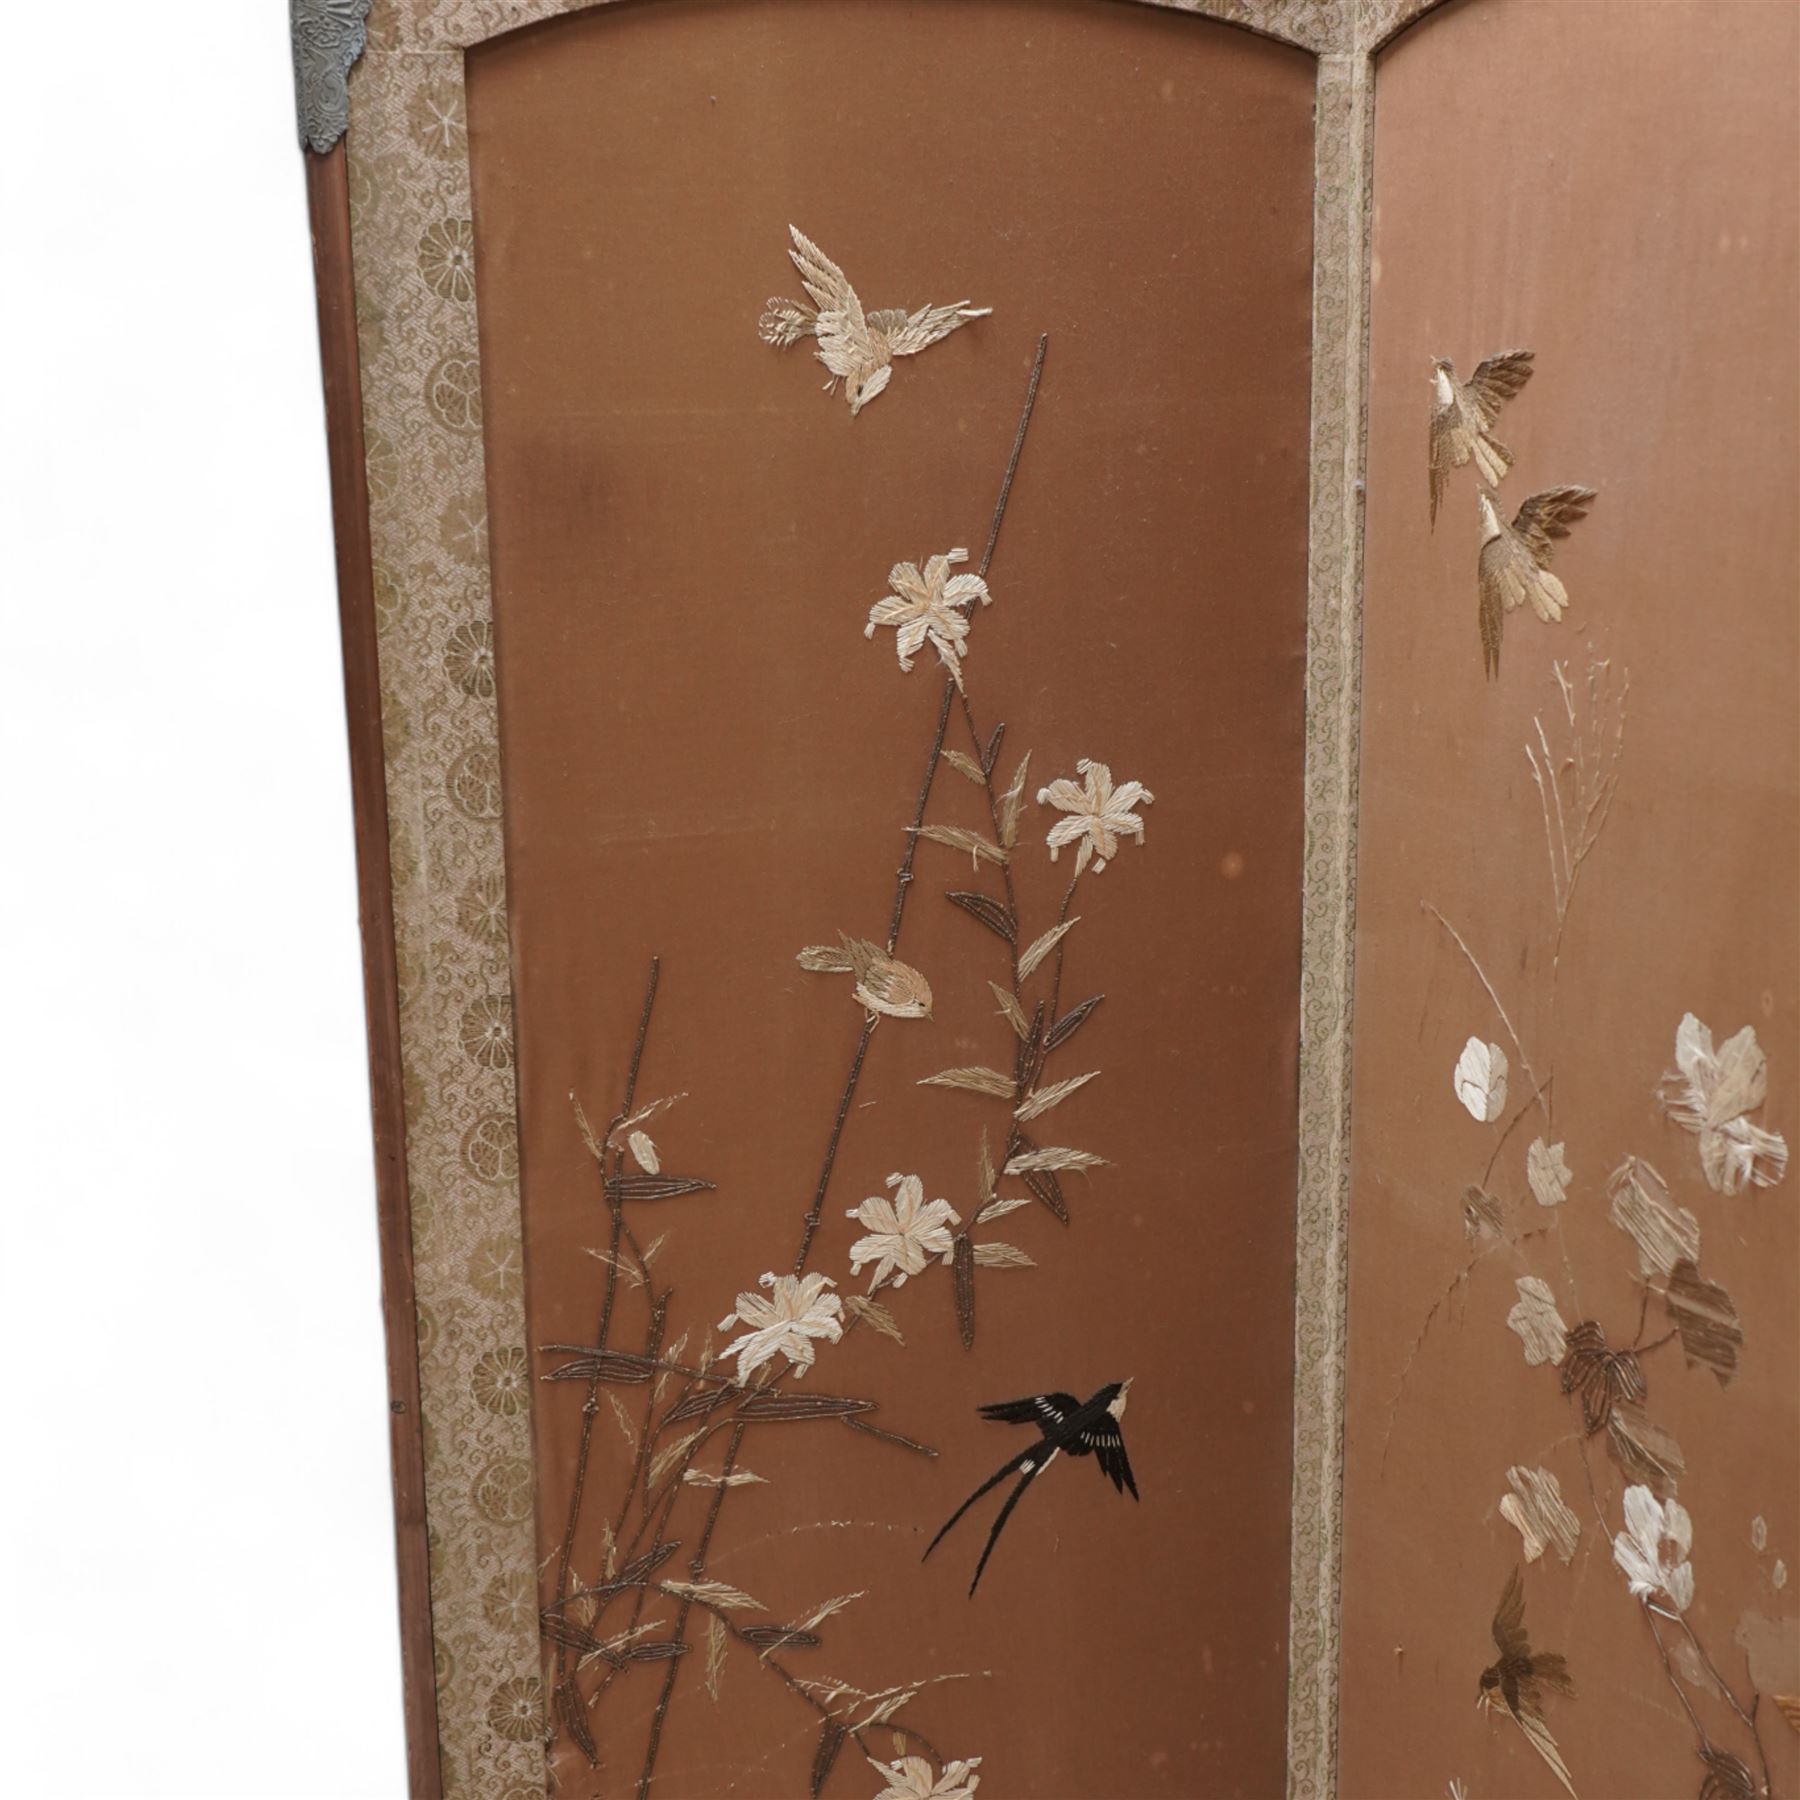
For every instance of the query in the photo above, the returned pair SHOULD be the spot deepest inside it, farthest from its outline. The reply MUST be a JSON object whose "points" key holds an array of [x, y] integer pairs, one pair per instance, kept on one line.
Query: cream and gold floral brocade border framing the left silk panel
{"points": [[411, 206]]}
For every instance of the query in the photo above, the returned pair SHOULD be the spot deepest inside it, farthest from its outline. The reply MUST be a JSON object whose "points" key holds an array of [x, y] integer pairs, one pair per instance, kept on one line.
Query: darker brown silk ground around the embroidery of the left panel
{"points": [[706, 760]]}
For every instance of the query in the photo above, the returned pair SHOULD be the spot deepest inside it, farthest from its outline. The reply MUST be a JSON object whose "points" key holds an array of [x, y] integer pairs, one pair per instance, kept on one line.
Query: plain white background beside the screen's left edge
{"points": [[193, 1439]]}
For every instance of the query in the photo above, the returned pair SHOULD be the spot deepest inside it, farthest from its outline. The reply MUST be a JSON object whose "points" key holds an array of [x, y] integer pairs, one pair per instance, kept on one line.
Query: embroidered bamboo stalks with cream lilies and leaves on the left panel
{"points": [[697, 1425]]}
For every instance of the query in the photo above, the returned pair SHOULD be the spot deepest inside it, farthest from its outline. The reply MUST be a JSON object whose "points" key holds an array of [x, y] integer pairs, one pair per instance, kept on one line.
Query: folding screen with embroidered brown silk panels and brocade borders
{"points": [[852, 561]]}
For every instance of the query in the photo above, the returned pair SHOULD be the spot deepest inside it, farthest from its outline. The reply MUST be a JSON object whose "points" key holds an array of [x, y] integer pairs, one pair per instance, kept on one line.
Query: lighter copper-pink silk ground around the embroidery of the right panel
{"points": [[1614, 188]]}
